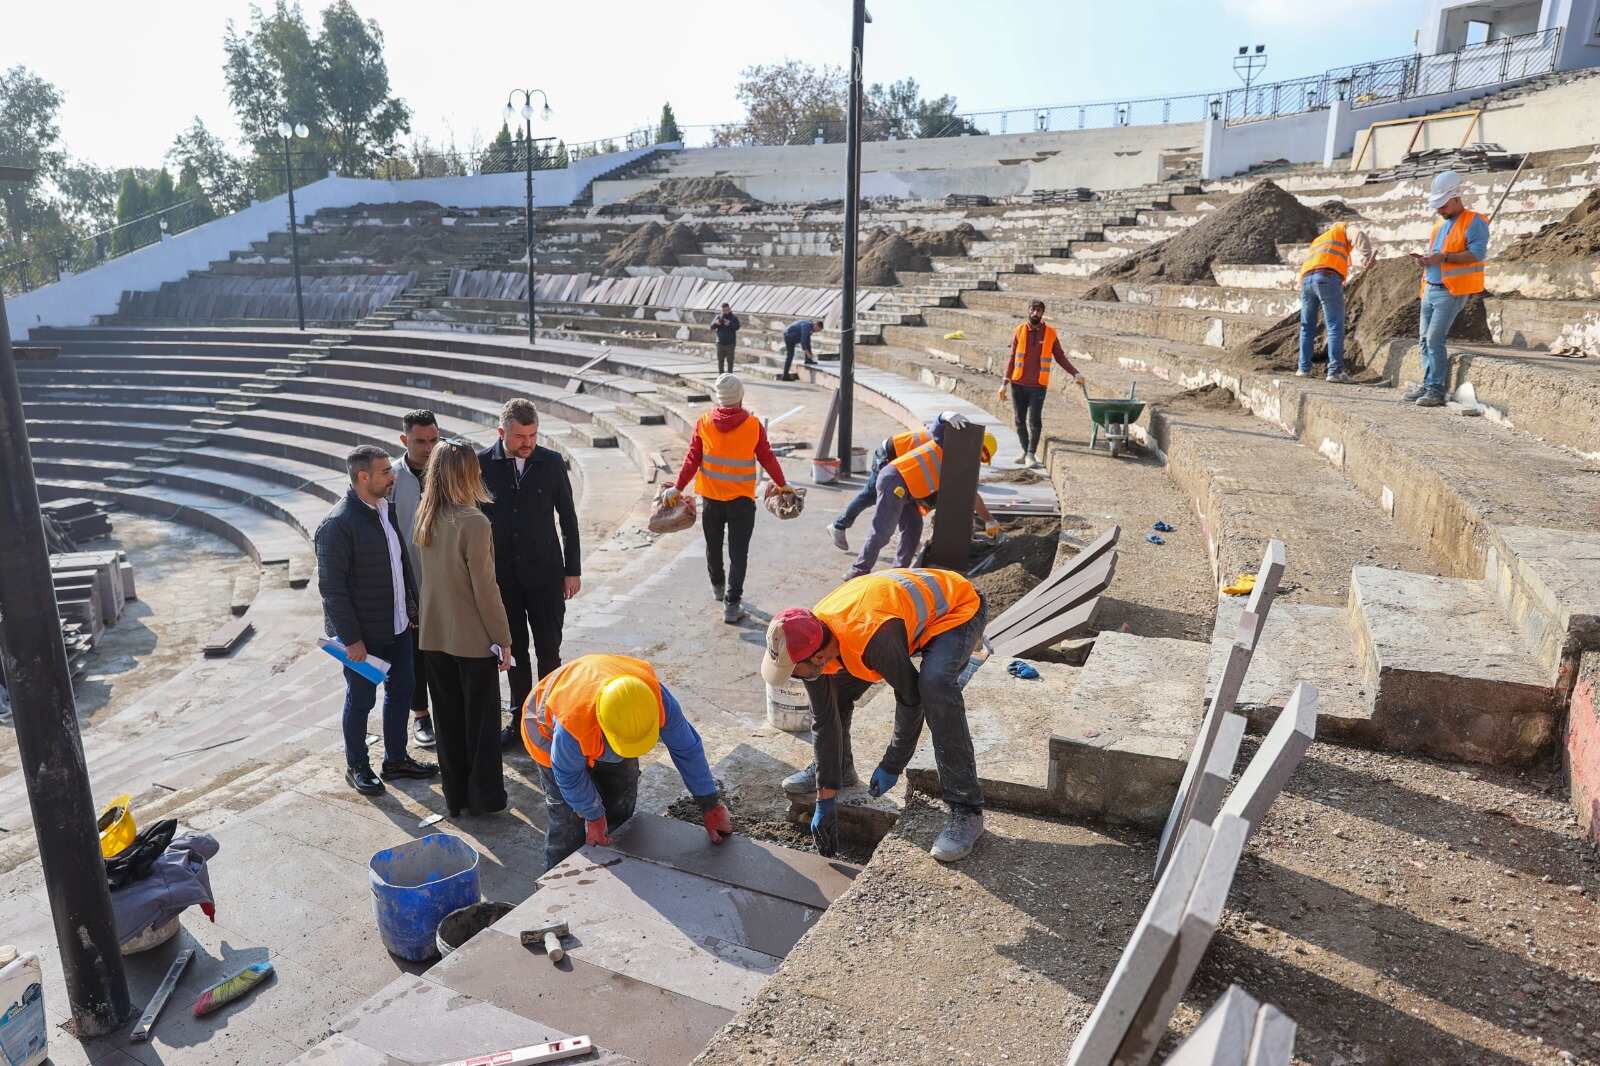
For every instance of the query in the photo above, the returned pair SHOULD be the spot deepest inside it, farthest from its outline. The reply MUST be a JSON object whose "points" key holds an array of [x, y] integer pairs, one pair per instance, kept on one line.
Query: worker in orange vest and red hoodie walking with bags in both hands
{"points": [[727, 446]]}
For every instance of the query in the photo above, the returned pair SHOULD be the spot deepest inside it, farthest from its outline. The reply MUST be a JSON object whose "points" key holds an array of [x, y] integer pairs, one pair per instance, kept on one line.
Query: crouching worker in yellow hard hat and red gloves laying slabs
{"points": [[586, 726]]}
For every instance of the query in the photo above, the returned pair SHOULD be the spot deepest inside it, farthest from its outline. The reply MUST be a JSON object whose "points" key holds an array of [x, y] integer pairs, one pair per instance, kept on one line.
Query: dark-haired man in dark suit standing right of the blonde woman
{"points": [[537, 571]]}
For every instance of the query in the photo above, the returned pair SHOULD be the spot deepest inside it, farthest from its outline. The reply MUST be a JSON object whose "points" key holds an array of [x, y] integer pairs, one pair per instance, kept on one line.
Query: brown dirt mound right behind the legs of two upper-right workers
{"points": [[1378, 307]]}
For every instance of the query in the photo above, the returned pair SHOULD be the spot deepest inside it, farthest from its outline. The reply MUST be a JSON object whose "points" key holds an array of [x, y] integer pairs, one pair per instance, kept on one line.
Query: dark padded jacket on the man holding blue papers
{"points": [[354, 577]]}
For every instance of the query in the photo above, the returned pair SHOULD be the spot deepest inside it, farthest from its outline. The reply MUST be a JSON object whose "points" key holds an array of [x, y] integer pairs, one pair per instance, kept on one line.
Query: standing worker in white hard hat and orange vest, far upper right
{"points": [[1452, 273]]}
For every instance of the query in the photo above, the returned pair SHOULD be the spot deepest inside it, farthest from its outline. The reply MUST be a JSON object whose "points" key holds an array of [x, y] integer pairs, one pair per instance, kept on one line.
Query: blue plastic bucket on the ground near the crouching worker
{"points": [[415, 886]]}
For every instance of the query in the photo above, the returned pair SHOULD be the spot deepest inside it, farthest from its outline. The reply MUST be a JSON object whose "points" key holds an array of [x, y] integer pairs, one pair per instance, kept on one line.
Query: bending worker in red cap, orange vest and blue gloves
{"points": [[866, 631]]}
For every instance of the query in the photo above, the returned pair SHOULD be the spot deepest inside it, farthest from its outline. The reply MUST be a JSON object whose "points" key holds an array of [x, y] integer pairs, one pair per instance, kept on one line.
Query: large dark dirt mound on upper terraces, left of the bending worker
{"points": [[1246, 231]]}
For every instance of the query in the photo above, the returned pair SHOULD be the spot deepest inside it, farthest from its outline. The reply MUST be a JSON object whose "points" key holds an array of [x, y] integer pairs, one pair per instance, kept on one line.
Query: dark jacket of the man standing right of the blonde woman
{"points": [[527, 551]]}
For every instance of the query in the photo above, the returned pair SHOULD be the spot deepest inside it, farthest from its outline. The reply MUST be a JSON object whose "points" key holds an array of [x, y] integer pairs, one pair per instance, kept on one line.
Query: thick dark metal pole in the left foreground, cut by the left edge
{"points": [[47, 734]]}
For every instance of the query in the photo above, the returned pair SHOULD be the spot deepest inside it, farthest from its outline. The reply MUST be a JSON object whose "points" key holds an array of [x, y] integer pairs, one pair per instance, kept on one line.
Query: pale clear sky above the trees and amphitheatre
{"points": [[135, 74]]}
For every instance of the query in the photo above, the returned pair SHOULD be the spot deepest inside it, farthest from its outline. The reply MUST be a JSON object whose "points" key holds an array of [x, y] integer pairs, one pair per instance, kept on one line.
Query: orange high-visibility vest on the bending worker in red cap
{"points": [[929, 603]]}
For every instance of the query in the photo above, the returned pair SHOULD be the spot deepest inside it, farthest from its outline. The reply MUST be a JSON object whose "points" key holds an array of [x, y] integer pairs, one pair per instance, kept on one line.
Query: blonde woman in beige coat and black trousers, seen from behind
{"points": [[465, 633]]}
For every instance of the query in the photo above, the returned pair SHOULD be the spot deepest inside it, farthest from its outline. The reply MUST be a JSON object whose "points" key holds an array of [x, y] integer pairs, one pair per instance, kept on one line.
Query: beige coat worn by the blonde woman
{"points": [[462, 609]]}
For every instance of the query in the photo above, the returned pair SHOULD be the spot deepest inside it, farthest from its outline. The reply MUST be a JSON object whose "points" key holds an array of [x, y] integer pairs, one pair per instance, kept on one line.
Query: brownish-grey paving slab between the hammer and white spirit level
{"points": [[618, 1012]]}
